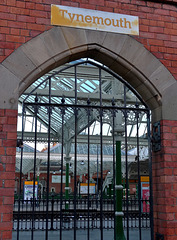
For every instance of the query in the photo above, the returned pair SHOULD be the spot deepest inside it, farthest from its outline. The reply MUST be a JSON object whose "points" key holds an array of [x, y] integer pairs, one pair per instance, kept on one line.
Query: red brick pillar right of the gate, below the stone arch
{"points": [[165, 182]]}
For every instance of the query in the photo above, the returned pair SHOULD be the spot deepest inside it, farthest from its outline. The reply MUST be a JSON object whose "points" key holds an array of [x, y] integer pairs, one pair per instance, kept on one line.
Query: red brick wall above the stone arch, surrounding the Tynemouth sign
{"points": [[22, 20]]}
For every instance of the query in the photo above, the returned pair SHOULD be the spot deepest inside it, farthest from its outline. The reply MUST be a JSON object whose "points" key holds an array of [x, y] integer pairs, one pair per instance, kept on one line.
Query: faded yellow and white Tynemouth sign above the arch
{"points": [[95, 20]]}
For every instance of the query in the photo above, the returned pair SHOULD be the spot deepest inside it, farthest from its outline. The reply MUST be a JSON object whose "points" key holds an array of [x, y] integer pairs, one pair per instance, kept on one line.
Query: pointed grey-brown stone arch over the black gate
{"points": [[121, 53]]}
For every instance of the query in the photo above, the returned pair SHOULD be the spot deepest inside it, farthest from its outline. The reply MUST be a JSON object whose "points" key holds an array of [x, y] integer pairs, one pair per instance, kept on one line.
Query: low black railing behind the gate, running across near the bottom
{"points": [[25, 215]]}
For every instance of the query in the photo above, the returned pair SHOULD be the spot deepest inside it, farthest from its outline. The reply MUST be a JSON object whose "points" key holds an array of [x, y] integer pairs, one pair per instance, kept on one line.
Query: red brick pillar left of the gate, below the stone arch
{"points": [[8, 142]]}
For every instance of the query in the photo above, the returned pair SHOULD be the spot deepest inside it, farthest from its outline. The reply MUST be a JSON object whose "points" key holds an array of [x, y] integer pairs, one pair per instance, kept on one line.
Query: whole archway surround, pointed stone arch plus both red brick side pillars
{"points": [[124, 55]]}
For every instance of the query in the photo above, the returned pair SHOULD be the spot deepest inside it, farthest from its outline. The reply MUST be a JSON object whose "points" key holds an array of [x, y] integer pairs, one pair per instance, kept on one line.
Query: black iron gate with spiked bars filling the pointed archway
{"points": [[97, 162]]}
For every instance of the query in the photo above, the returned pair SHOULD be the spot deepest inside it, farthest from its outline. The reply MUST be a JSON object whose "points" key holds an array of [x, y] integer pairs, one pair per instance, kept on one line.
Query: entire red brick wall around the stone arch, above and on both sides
{"points": [[20, 21]]}
